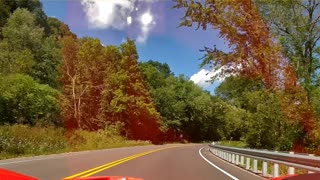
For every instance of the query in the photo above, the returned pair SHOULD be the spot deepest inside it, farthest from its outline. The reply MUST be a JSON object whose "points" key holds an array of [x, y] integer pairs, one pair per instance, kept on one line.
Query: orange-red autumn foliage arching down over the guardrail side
{"points": [[255, 53]]}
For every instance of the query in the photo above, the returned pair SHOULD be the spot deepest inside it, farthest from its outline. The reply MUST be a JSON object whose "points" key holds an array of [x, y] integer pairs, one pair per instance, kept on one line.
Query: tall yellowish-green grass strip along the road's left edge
{"points": [[24, 141]]}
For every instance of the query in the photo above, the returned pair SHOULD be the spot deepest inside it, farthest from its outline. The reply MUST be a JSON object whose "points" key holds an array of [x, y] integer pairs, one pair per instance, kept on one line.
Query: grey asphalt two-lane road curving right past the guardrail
{"points": [[154, 162]]}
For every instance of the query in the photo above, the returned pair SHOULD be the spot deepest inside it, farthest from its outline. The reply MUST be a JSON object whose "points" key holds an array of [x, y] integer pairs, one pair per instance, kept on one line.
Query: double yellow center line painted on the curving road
{"points": [[98, 169]]}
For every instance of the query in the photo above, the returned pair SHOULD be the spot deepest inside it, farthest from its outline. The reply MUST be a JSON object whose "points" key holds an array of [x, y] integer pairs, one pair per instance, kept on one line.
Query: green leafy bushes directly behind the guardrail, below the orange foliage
{"points": [[255, 115]]}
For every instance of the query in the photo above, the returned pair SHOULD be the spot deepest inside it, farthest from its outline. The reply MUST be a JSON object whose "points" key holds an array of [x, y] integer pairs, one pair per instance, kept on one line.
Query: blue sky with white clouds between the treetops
{"points": [[153, 24]]}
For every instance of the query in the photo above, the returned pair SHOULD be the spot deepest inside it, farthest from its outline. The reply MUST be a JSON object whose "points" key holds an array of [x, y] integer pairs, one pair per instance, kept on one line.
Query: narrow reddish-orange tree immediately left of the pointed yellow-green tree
{"points": [[91, 64]]}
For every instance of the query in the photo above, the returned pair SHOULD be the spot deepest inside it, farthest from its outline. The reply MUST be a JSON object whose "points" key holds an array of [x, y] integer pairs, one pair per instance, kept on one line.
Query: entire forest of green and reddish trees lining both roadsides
{"points": [[53, 81]]}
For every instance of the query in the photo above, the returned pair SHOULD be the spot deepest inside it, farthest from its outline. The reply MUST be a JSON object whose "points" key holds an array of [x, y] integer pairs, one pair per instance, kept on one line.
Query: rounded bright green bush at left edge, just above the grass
{"points": [[22, 100]]}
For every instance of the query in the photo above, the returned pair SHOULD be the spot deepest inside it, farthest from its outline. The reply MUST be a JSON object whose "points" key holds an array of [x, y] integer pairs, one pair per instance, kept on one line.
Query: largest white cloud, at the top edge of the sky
{"points": [[107, 13]]}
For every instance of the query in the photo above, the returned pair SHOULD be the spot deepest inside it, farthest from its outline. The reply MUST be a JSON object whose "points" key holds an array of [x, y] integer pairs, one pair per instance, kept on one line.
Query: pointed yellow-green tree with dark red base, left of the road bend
{"points": [[126, 98]]}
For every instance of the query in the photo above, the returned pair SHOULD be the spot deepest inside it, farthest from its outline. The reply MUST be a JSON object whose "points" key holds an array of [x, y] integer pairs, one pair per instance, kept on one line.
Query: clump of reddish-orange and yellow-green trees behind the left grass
{"points": [[103, 85]]}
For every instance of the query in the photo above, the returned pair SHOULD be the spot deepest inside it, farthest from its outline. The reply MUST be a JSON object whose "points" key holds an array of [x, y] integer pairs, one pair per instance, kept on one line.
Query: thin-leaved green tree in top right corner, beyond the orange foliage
{"points": [[296, 24]]}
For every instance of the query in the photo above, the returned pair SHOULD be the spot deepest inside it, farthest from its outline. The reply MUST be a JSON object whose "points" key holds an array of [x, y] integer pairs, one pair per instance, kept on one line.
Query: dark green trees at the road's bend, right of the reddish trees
{"points": [[184, 107]]}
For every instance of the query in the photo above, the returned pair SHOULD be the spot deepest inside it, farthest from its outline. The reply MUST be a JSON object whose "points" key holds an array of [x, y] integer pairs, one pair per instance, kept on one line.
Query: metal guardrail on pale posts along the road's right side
{"points": [[237, 156]]}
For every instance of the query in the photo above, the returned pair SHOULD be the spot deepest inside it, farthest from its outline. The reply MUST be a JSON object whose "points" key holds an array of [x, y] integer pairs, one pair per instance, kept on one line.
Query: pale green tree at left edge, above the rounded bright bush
{"points": [[21, 39]]}
